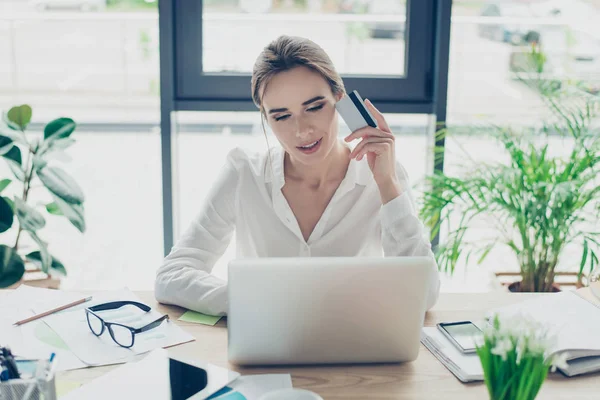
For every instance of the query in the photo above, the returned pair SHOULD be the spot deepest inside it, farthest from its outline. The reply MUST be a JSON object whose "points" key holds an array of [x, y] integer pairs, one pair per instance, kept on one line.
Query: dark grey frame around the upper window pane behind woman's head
{"points": [[197, 90]]}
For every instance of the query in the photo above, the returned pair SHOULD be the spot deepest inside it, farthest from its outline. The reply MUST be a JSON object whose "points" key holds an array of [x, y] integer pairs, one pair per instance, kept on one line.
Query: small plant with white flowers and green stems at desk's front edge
{"points": [[515, 360]]}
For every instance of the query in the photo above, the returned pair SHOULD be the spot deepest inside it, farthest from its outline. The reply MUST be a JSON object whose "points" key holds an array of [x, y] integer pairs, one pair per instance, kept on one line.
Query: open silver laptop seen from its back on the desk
{"points": [[314, 310]]}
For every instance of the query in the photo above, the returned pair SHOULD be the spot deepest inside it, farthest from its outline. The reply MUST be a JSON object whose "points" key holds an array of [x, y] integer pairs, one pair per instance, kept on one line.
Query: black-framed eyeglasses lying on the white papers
{"points": [[123, 335]]}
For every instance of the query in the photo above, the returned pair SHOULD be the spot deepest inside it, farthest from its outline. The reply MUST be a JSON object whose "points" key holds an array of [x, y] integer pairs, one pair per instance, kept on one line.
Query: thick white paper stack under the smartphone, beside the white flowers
{"points": [[466, 367]]}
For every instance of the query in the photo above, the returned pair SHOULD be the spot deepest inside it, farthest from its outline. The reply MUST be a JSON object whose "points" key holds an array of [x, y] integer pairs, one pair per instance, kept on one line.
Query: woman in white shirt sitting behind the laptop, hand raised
{"points": [[314, 196]]}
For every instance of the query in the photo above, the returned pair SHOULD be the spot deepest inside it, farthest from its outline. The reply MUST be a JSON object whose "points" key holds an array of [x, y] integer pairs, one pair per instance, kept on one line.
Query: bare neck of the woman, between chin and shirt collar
{"points": [[332, 168]]}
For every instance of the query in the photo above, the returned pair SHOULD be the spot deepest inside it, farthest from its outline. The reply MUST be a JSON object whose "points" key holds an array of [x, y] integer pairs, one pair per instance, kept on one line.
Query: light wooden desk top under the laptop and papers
{"points": [[425, 378]]}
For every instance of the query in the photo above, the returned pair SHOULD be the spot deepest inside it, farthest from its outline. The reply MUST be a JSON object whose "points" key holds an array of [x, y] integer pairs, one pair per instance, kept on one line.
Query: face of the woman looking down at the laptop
{"points": [[300, 110]]}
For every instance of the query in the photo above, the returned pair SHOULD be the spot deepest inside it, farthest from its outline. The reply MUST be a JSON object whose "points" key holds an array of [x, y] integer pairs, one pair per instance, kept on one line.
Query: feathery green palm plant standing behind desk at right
{"points": [[537, 203]]}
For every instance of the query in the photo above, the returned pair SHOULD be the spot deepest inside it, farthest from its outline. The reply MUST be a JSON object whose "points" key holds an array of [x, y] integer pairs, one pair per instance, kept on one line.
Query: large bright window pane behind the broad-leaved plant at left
{"points": [[95, 61]]}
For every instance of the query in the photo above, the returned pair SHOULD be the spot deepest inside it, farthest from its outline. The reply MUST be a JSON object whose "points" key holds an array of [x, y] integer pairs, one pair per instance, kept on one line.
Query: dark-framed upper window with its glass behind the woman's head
{"points": [[382, 48]]}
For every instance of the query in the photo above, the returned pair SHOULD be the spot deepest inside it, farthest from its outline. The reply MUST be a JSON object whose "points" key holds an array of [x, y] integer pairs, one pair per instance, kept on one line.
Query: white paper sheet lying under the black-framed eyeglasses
{"points": [[73, 328]]}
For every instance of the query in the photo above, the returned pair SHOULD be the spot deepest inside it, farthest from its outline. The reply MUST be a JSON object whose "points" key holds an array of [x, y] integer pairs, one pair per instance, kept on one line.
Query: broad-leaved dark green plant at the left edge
{"points": [[30, 159]]}
